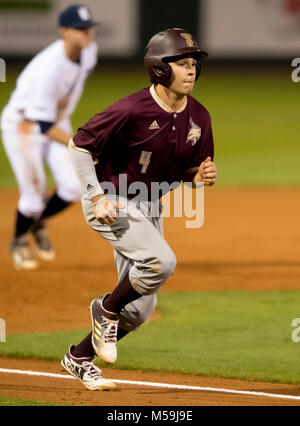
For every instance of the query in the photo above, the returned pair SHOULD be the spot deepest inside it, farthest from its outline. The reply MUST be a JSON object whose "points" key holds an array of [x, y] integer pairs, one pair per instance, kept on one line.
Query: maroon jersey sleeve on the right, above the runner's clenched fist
{"points": [[204, 147]]}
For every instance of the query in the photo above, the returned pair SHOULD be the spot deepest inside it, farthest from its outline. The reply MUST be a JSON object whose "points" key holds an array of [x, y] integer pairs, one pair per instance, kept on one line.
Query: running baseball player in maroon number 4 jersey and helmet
{"points": [[160, 134]]}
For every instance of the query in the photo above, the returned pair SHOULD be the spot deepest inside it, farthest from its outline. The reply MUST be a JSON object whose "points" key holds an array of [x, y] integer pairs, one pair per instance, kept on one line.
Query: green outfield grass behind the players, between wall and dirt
{"points": [[254, 114]]}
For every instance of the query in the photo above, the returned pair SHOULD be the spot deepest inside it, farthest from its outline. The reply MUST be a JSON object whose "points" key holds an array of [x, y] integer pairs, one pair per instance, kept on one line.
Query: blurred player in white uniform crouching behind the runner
{"points": [[36, 129]]}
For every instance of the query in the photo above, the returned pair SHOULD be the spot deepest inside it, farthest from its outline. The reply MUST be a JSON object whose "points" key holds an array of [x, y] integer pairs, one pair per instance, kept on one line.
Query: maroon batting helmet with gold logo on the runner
{"points": [[167, 46]]}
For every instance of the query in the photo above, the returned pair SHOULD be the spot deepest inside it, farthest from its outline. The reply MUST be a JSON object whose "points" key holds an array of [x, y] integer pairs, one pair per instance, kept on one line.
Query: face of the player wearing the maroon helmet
{"points": [[183, 76]]}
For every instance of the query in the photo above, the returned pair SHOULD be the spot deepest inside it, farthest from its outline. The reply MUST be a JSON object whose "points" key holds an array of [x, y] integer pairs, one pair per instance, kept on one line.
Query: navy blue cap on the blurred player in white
{"points": [[76, 16]]}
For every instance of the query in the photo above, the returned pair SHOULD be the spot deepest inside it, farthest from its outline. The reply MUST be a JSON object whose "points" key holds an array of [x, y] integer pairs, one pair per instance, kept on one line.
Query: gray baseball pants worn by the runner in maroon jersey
{"points": [[140, 248]]}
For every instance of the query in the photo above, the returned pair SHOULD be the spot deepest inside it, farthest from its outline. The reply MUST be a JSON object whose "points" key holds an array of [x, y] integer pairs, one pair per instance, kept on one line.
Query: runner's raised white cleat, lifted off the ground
{"points": [[104, 331]]}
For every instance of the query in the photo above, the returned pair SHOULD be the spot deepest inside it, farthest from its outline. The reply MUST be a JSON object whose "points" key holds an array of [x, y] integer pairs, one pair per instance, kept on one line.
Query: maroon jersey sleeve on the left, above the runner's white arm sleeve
{"points": [[102, 128]]}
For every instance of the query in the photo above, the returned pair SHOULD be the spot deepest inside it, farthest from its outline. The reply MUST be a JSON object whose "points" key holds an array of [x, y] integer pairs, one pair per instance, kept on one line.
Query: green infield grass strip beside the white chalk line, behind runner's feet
{"points": [[243, 335]]}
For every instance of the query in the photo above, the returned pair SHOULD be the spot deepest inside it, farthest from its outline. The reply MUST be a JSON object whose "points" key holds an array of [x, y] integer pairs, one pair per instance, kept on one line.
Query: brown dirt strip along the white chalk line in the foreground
{"points": [[73, 392]]}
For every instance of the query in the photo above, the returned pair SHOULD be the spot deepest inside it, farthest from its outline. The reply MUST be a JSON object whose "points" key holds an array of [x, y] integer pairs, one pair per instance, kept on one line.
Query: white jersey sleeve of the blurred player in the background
{"points": [[42, 105]]}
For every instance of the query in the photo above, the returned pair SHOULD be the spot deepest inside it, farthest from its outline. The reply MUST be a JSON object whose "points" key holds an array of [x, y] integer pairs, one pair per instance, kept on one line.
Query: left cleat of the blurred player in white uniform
{"points": [[21, 254]]}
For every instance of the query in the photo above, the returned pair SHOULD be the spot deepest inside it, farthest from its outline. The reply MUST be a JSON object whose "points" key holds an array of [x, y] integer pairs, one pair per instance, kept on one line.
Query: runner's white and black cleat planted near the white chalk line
{"points": [[85, 370]]}
